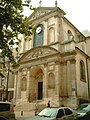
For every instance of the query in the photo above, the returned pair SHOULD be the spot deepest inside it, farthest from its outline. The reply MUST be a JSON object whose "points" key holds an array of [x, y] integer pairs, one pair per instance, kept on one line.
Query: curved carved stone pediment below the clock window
{"points": [[38, 52]]}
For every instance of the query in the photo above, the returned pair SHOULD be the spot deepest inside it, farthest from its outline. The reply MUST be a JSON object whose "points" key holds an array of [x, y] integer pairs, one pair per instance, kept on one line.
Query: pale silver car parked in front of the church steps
{"points": [[54, 113]]}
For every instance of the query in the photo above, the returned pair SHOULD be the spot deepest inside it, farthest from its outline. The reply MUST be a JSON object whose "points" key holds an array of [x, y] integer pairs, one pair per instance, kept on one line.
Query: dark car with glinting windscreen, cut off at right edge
{"points": [[83, 110]]}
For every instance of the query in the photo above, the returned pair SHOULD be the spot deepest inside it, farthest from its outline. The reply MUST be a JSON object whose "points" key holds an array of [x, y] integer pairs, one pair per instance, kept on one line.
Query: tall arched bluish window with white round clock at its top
{"points": [[38, 36]]}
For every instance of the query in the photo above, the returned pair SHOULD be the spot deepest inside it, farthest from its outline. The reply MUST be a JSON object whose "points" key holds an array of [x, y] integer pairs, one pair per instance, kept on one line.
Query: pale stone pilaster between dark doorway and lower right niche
{"points": [[45, 82]]}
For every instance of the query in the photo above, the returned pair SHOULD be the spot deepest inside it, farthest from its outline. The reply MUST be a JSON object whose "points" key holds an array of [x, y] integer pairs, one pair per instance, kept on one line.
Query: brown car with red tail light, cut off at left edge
{"points": [[7, 110]]}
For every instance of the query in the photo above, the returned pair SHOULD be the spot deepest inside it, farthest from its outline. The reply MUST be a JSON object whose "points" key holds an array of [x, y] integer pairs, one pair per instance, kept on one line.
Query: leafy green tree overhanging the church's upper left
{"points": [[12, 23]]}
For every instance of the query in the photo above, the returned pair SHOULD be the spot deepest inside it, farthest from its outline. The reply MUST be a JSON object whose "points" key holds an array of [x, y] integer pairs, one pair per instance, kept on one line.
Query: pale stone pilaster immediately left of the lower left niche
{"points": [[19, 85]]}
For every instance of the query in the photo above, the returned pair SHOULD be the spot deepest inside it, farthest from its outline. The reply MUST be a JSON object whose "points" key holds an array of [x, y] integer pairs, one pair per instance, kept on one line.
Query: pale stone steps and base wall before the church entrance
{"points": [[35, 106]]}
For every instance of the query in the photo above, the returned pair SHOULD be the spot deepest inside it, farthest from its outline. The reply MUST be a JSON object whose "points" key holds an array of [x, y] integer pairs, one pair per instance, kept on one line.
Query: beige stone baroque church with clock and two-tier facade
{"points": [[54, 63]]}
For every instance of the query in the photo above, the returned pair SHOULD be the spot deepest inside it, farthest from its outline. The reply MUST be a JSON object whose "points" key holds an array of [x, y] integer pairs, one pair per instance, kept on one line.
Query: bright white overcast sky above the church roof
{"points": [[77, 11]]}
